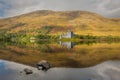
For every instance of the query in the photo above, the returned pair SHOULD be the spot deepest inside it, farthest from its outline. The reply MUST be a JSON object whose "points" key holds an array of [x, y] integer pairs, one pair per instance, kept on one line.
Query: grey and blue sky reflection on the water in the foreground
{"points": [[109, 70]]}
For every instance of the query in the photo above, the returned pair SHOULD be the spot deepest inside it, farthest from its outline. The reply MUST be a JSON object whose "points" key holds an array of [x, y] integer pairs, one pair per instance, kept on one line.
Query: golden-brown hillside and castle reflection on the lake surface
{"points": [[84, 54]]}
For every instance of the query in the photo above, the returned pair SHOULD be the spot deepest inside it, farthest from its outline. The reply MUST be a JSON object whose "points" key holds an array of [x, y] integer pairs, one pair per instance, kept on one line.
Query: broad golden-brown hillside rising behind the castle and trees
{"points": [[56, 22]]}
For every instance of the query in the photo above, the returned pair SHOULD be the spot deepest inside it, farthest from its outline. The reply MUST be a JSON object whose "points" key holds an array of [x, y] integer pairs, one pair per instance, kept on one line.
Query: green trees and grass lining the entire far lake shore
{"points": [[19, 37]]}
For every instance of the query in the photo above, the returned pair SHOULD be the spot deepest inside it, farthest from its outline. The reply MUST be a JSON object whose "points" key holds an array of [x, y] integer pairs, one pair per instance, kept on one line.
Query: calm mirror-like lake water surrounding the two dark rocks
{"points": [[70, 60]]}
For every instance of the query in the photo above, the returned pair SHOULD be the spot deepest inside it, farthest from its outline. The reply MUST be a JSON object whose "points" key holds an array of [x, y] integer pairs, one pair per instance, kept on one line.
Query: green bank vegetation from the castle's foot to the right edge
{"points": [[78, 38]]}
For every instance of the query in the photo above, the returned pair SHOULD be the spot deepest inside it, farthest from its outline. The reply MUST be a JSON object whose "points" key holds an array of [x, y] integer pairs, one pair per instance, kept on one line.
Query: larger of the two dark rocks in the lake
{"points": [[43, 65]]}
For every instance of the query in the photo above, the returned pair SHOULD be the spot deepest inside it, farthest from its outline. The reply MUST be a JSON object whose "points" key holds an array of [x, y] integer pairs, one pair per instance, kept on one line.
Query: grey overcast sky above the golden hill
{"points": [[108, 8]]}
